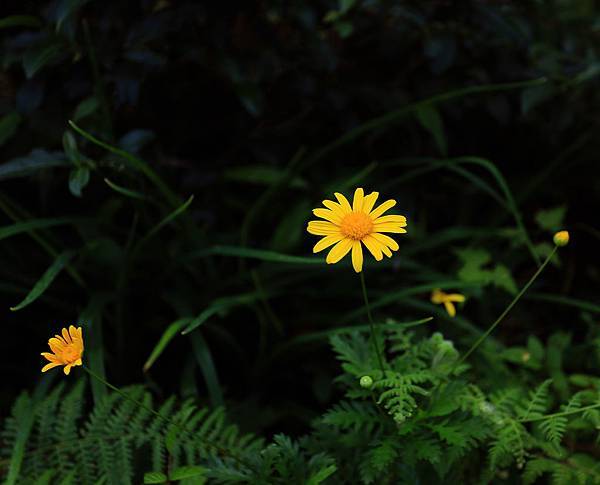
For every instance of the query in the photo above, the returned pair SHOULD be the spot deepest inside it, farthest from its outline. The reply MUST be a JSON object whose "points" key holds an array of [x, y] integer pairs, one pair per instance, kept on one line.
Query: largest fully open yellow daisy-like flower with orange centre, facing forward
{"points": [[348, 226]]}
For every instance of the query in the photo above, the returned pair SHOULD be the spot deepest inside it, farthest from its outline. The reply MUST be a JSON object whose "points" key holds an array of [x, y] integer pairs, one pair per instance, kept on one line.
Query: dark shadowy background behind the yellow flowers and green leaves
{"points": [[219, 98]]}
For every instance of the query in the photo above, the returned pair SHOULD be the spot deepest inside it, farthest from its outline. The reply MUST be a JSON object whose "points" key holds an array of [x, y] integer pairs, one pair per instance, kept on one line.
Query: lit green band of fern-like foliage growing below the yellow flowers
{"points": [[417, 420]]}
